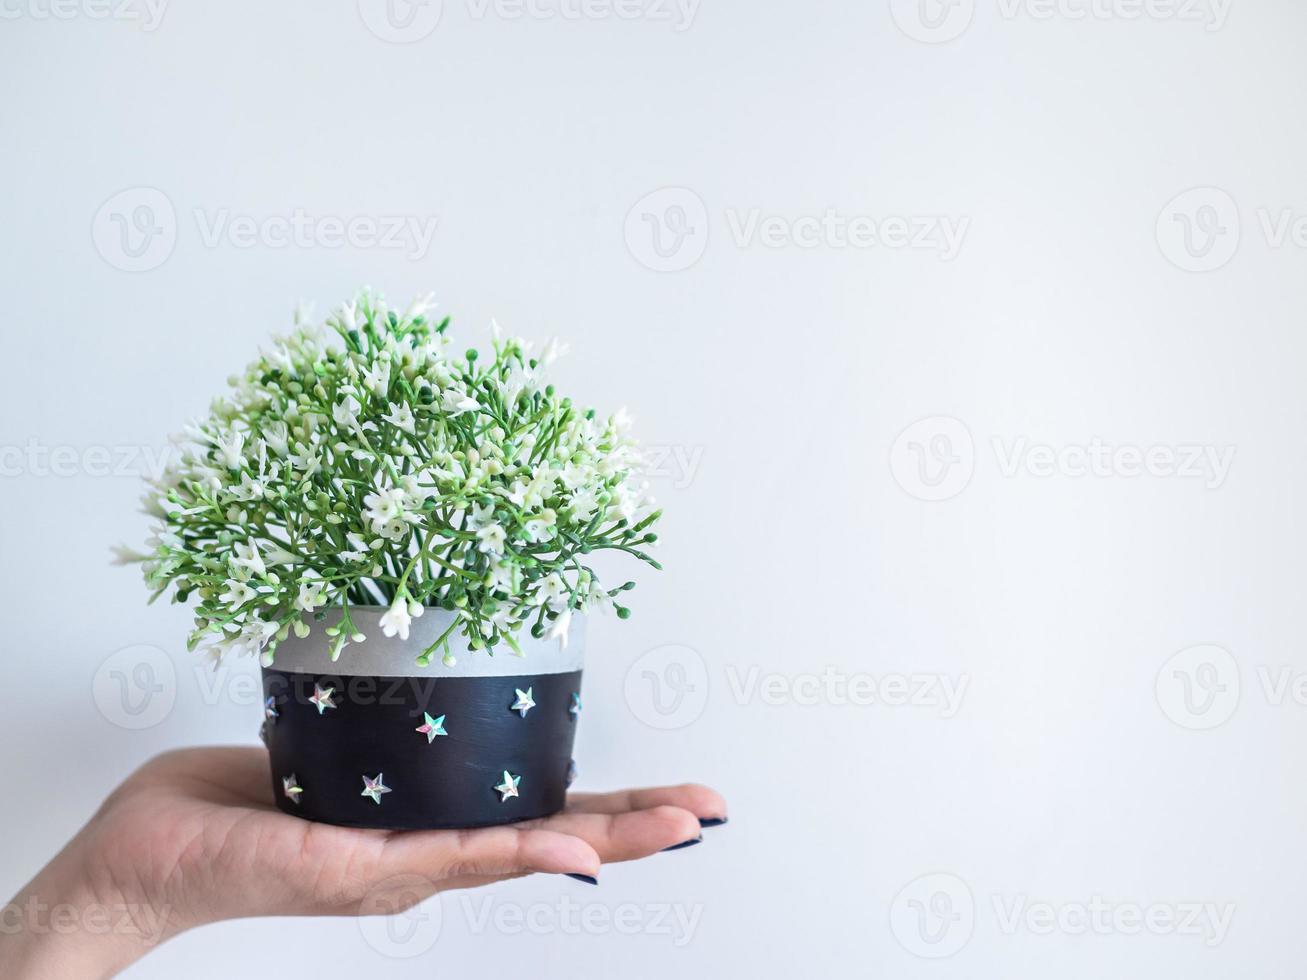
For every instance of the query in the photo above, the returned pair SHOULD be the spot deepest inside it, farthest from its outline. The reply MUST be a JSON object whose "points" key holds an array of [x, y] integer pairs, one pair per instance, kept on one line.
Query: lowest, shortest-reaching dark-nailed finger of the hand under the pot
{"points": [[488, 853]]}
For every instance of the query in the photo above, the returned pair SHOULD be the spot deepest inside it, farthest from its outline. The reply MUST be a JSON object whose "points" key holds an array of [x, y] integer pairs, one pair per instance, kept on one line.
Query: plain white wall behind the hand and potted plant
{"points": [[1082, 765]]}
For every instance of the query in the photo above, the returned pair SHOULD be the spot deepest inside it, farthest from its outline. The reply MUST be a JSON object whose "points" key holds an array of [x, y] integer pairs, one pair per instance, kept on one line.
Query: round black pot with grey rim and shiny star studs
{"points": [[373, 740]]}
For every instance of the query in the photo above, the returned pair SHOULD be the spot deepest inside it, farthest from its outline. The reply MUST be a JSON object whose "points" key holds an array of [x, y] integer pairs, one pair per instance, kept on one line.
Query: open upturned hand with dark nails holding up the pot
{"points": [[194, 837]]}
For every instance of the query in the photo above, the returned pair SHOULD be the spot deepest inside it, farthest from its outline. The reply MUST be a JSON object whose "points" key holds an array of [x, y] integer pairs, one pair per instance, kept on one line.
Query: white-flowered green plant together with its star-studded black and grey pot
{"points": [[403, 535]]}
